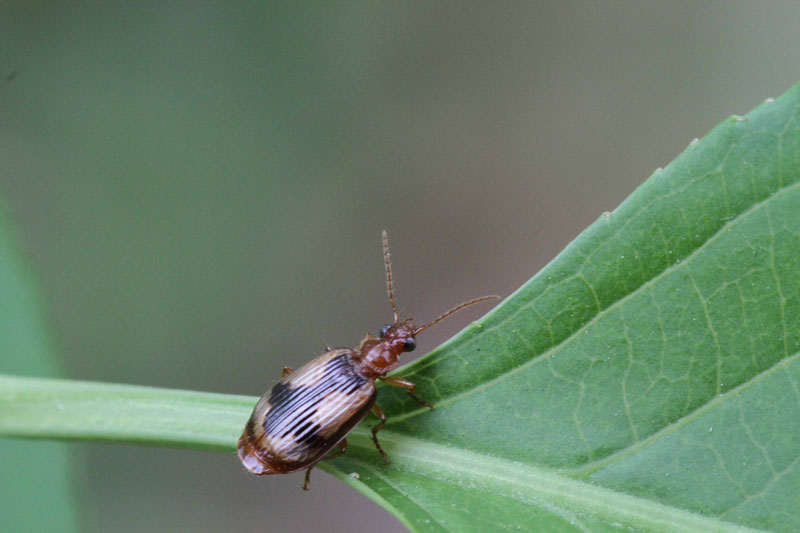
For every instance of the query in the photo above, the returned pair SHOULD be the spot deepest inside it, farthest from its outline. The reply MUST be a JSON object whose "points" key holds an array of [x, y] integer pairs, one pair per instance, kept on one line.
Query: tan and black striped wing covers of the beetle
{"points": [[306, 414]]}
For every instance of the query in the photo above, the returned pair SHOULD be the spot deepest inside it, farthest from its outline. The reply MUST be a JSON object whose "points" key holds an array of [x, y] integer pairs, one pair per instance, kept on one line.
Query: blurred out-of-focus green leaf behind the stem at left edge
{"points": [[32, 472]]}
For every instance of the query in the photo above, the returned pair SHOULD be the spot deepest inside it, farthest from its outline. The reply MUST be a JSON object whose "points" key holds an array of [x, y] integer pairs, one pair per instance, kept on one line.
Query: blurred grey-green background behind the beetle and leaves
{"points": [[201, 187]]}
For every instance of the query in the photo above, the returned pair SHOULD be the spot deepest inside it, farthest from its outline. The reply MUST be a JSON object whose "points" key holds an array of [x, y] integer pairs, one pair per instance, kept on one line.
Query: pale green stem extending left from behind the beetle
{"points": [[67, 409]]}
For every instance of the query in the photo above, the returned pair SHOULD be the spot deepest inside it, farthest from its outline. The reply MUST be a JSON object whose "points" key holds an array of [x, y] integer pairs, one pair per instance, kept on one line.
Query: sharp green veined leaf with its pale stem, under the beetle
{"points": [[647, 379]]}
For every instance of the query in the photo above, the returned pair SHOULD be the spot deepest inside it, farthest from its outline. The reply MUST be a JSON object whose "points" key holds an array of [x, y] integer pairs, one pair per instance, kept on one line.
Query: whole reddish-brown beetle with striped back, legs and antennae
{"points": [[311, 410]]}
